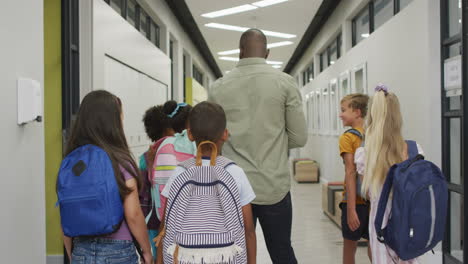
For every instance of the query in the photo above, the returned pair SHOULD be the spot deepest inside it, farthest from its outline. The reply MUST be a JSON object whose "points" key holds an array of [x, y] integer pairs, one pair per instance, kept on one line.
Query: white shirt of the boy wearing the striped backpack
{"points": [[246, 193]]}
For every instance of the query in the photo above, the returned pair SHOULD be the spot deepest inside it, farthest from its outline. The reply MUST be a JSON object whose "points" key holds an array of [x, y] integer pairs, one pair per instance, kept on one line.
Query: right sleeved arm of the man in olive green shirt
{"points": [[295, 119]]}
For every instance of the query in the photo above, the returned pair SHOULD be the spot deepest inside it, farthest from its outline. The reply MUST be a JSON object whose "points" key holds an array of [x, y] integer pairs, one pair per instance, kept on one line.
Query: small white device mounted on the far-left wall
{"points": [[29, 101]]}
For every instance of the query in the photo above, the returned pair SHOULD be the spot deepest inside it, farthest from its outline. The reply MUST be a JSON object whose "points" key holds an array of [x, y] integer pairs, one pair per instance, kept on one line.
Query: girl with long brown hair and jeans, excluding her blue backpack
{"points": [[99, 122]]}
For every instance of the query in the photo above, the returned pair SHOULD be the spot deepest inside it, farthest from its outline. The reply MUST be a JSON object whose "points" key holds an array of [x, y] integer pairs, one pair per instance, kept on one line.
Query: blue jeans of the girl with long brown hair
{"points": [[103, 251]]}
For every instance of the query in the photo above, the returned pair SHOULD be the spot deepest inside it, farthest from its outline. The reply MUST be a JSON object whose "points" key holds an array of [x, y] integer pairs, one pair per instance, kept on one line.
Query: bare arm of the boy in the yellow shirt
{"points": [[350, 169]]}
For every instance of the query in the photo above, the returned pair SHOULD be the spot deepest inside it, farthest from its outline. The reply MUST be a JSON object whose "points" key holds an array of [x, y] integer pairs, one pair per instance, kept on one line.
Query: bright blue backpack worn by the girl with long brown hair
{"points": [[88, 194]]}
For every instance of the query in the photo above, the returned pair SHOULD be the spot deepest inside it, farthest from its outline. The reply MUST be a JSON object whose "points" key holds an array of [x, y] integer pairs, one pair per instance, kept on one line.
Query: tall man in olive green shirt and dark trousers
{"points": [[265, 119]]}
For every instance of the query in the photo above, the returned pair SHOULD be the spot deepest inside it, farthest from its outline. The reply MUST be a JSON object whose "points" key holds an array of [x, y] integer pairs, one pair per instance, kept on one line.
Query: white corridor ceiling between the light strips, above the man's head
{"points": [[291, 17]]}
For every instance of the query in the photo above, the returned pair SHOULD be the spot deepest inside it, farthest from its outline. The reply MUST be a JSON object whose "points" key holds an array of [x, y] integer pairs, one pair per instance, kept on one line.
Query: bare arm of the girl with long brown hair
{"points": [[136, 220]]}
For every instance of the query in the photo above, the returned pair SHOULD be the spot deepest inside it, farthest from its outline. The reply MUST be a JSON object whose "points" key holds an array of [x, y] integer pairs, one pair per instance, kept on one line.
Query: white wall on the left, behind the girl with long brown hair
{"points": [[128, 65]]}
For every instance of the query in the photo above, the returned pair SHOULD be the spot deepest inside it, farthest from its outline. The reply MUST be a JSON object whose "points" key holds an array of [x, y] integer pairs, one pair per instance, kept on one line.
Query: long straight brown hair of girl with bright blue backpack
{"points": [[99, 122]]}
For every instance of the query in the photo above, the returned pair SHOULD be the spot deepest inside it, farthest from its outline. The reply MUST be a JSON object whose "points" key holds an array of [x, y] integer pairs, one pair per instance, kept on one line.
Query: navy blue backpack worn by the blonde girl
{"points": [[419, 206]]}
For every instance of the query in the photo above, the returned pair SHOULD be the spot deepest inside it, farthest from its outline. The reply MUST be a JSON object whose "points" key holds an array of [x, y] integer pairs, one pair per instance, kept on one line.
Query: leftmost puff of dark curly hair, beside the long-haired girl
{"points": [[156, 122]]}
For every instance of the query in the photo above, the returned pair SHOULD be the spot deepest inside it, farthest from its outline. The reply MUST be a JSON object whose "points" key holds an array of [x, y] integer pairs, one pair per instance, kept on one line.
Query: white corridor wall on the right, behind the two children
{"points": [[404, 54]]}
